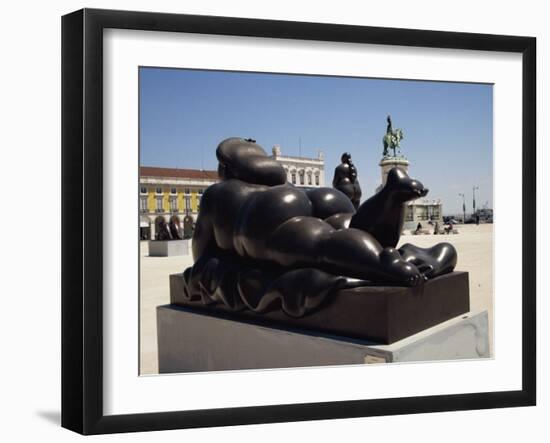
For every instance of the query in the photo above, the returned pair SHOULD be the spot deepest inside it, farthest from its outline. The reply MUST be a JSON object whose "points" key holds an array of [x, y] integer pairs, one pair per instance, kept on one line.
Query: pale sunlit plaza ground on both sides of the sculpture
{"points": [[475, 255]]}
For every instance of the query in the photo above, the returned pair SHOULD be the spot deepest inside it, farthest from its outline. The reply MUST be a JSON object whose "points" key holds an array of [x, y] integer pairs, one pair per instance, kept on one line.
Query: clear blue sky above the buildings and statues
{"points": [[448, 127]]}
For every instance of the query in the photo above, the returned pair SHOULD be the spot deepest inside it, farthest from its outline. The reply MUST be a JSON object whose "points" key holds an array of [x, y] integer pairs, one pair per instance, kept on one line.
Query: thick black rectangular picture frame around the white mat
{"points": [[82, 259]]}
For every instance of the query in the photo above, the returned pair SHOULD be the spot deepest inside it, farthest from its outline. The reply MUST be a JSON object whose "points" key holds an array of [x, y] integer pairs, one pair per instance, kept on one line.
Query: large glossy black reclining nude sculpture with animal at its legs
{"points": [[260, 242]]}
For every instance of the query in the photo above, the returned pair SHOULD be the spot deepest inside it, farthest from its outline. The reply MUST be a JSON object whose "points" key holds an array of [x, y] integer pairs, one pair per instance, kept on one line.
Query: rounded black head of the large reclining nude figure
{"points": [[247, 161]]}
